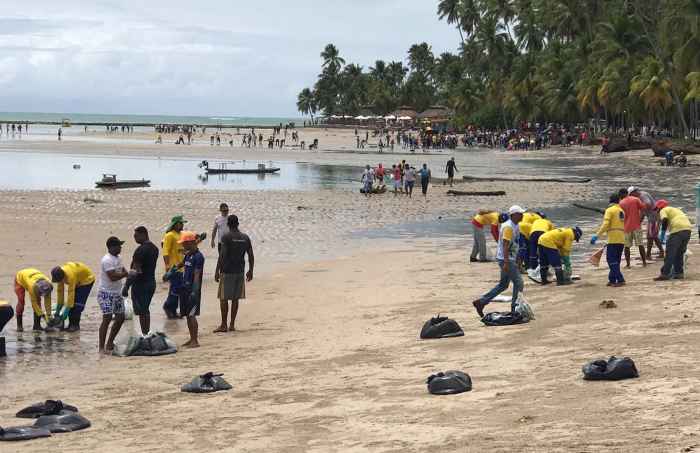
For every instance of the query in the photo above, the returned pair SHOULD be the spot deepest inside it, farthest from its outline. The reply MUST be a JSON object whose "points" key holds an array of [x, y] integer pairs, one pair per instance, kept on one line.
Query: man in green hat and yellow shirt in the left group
{"points": [[173, 257]]}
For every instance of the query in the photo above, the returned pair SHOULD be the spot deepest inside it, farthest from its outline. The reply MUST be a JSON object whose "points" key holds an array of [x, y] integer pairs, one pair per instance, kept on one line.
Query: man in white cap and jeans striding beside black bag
{"points": [[508, 238]]}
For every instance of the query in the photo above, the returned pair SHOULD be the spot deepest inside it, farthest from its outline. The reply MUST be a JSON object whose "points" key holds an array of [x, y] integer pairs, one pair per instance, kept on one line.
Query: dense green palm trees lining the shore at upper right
{"points": [[629, 62]]}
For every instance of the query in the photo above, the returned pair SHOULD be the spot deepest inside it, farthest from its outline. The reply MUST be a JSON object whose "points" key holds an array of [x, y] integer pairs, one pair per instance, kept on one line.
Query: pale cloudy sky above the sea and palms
{"points": [[216, 57]]}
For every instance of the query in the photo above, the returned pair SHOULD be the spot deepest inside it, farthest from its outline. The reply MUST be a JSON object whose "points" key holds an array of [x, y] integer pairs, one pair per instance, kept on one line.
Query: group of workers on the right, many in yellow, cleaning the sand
{"points": [[528, 242]]}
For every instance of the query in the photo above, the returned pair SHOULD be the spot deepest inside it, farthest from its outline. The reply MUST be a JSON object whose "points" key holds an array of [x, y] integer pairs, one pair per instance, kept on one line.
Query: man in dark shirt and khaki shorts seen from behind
{"points": [[230, 272]]}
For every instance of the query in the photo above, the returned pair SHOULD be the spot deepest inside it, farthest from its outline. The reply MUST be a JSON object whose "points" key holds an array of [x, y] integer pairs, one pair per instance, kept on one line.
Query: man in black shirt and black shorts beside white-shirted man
{"points": [[142, 278]]}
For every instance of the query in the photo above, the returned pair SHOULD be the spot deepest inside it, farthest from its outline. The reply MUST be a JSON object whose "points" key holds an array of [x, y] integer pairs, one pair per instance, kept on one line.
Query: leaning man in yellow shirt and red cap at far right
{"points": [[677, 224]]}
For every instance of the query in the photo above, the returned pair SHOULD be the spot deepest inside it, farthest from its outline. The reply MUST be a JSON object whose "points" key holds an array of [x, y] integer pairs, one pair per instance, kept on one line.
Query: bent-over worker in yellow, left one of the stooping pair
{"points": [[38, 286]]}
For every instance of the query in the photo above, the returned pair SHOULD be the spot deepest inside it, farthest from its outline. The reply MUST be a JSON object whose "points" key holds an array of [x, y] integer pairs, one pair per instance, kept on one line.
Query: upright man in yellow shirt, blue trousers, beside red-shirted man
{"points": [[614, 226]]}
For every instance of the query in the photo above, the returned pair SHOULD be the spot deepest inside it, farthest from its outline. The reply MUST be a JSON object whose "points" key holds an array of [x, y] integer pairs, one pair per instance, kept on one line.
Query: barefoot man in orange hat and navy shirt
{"points": [[191, 295]]}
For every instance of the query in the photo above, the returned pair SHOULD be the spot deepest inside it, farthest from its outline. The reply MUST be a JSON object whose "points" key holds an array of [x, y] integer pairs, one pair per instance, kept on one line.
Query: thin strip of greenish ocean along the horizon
{"points": [[224, 120]]}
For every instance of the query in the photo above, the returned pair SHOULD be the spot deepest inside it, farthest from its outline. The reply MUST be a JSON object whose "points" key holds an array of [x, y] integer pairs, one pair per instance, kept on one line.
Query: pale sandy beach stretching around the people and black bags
{"points": [[327, 355]]}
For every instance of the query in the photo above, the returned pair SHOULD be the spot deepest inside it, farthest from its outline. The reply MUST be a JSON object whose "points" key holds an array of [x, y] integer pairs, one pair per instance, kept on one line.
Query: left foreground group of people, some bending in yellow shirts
{"points": [[183, 271]]}
